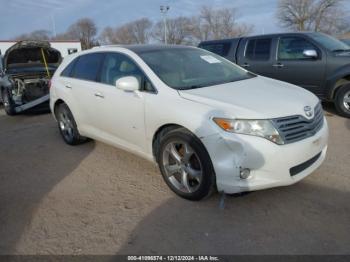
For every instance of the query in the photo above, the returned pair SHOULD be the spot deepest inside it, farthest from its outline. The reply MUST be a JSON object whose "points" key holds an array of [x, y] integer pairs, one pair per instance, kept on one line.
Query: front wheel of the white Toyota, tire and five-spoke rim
{"points": [[185, 165]]}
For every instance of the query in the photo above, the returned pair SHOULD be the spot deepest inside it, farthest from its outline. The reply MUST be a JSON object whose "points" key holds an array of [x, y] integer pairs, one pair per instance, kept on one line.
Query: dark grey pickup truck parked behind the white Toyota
{"points": [[314, 61]]}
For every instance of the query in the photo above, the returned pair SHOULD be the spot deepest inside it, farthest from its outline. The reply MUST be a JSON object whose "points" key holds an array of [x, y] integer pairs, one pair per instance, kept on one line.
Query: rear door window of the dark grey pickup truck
{"points": [[258, 49]]}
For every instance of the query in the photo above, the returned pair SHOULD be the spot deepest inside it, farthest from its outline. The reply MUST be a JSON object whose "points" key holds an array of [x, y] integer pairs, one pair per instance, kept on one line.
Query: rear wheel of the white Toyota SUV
{"points": [[67, 126]]}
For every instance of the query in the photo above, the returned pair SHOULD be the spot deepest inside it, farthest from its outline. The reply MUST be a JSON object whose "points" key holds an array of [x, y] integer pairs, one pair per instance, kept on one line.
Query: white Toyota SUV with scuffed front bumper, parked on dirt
{"points": [[208, 123]]}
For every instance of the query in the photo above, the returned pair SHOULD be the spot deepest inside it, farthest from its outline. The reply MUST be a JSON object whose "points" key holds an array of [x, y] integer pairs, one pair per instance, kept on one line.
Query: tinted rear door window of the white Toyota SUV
{"points": [[87, 67]]}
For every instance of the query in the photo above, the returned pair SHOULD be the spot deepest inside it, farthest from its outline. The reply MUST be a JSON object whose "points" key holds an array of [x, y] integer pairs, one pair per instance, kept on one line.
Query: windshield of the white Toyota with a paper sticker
{"points": [[189, 68]]}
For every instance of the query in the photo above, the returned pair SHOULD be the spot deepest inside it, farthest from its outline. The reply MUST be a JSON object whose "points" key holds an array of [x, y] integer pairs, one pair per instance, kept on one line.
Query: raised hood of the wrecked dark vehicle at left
{"points": [[29, 53]]}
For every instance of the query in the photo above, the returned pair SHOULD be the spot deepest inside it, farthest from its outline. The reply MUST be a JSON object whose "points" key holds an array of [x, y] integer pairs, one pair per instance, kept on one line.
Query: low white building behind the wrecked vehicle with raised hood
{"points": [[65, 47]]}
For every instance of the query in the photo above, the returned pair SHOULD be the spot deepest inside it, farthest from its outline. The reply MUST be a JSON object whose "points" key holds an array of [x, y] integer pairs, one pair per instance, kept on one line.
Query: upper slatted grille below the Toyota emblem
{"points": [[296, 128]]}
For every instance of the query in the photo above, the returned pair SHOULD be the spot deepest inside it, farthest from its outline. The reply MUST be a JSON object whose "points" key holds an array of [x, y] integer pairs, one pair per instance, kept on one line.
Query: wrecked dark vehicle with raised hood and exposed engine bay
{"points": [[24, 79]]}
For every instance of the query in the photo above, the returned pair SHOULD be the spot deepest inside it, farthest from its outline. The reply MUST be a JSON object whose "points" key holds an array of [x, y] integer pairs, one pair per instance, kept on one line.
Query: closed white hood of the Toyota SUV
{"points": [[255, 98]]}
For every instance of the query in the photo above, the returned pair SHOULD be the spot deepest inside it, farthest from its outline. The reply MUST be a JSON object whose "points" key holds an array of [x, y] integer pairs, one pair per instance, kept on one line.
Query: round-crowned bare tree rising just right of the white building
{"points": [[85, 30]]}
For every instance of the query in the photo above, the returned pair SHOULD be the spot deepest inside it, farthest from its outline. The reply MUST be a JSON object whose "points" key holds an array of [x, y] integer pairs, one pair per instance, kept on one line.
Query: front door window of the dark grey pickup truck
{"points": [[292, 48]]}
